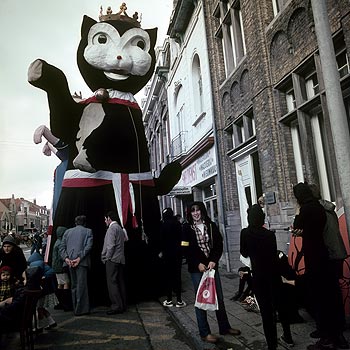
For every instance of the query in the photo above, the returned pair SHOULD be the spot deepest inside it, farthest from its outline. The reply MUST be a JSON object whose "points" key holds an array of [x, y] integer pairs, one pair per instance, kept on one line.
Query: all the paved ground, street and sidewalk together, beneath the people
{"points": [[151, 326]]}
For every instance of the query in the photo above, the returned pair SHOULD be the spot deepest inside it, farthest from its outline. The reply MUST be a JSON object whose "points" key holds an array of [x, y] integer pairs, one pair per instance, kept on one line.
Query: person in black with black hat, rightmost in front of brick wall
{"points": [[320, 284]]}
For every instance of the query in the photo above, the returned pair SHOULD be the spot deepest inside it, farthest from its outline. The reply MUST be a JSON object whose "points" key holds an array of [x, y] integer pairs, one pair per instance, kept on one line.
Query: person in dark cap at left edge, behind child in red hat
{"points": [[11, 255]]}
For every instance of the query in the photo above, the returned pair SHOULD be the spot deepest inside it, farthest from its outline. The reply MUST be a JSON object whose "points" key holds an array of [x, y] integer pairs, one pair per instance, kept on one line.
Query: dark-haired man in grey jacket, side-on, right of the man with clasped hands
{"points": [[113, 257]]}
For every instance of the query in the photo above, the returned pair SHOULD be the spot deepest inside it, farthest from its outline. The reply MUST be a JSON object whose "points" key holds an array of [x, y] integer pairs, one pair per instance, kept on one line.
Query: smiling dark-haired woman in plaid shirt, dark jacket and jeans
{"points": [[203, 247]]}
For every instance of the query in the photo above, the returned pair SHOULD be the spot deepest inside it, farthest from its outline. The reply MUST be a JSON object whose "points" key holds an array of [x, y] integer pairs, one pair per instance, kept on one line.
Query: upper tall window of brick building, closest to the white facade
{"points": [[231, 33]]}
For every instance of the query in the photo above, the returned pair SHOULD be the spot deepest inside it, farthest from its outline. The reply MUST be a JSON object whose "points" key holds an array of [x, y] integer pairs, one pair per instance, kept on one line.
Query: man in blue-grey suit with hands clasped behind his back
{"points": [[75, 251]]}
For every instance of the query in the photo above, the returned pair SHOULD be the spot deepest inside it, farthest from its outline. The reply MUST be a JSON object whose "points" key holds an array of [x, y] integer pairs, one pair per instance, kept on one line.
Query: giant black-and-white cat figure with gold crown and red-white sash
{"points": [[108, 163]]}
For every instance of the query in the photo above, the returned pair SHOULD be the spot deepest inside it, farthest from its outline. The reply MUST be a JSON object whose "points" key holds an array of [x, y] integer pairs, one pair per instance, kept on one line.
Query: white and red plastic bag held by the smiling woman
{"points": [[206, 297]]}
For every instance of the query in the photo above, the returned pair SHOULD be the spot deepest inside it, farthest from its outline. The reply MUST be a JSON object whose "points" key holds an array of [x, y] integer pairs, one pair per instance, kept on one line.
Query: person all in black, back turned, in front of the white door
{"points": [[259, 244]]}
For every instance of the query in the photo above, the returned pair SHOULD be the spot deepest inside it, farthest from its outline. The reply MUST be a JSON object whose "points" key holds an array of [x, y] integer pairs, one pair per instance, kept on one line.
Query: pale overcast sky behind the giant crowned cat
{"points": [[49, 30]]}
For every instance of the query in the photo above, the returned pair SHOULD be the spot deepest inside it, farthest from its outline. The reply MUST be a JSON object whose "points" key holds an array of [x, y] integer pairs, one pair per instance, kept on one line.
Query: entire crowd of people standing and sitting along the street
{"points": [[267, 280]]}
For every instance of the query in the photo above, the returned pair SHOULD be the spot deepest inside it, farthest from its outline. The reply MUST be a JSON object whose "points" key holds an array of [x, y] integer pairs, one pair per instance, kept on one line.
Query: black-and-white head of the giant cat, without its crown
{"points": [[115, 55]]}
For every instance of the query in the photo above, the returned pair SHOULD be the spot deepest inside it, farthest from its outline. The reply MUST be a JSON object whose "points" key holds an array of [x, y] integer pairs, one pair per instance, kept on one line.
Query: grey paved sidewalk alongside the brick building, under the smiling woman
{"points": [[249, 323]]}
